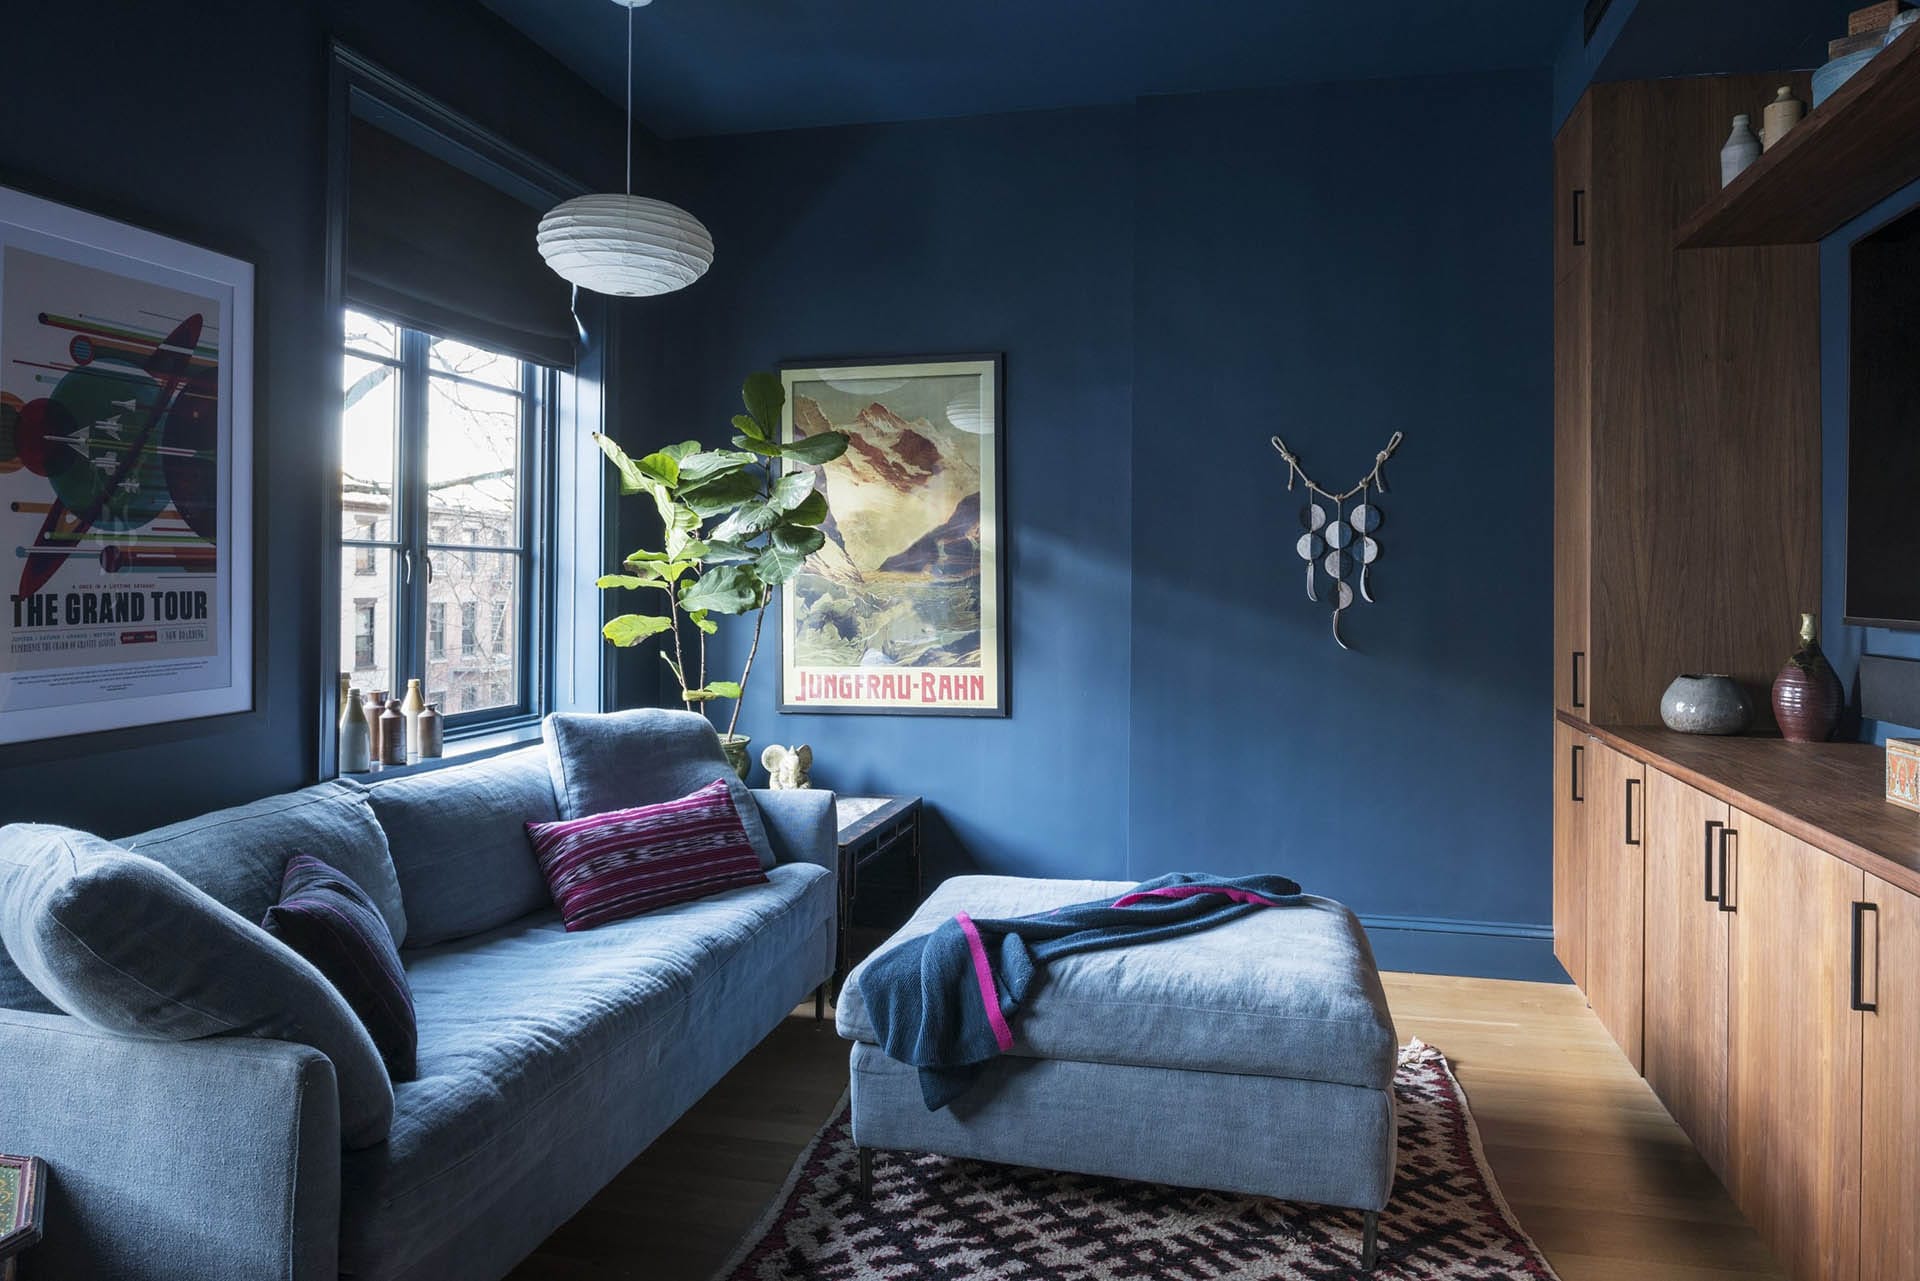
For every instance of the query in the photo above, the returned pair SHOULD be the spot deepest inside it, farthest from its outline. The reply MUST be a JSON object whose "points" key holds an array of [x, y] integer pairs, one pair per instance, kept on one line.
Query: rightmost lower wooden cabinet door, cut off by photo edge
{"points": [[1890, 1132]]}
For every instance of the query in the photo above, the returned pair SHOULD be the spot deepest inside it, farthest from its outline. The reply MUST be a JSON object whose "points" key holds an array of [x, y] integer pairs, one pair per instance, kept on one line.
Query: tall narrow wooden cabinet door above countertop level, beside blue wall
{"points": [[1573, 374]]}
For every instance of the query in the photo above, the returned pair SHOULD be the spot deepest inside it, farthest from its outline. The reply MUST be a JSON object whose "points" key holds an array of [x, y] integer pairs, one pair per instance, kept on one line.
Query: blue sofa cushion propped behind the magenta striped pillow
{"points": [[613, 761]]}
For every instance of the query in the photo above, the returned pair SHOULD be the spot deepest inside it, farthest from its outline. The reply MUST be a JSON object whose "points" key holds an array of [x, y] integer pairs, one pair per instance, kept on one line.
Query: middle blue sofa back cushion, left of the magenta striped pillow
{"points": [[460, 846]]}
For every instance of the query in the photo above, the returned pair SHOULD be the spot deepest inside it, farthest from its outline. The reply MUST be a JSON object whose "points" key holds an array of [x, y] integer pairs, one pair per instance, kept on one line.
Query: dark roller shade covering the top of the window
{"points": [[441, 251]]}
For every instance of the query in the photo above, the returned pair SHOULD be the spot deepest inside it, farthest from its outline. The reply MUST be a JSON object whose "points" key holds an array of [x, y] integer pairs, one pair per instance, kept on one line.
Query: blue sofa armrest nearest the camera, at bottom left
{"points": [[214, 1159]]}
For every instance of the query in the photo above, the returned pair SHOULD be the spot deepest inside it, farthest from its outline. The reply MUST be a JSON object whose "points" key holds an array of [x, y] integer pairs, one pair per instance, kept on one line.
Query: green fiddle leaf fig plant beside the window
{"points": [[736, 525]]}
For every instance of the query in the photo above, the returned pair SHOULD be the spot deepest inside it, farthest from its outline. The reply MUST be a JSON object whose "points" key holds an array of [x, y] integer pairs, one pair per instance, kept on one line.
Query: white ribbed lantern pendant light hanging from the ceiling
{"points": [[629, 247]]}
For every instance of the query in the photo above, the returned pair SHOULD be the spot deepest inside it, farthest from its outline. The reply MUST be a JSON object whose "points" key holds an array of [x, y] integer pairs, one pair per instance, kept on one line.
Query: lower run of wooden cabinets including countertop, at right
{"points": [[1781, 959]]}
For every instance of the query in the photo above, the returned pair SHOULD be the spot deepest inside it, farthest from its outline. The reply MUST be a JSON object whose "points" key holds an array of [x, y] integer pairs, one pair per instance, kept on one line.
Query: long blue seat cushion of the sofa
{"points": [[540, 1042]]}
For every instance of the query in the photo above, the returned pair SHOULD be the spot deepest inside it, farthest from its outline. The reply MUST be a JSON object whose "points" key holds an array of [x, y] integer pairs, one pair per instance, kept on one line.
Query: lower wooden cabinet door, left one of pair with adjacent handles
{"points": [[1687, 963]]}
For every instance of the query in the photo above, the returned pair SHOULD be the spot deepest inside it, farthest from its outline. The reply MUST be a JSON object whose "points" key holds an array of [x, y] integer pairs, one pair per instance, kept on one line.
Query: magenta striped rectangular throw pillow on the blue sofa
{"points": [[623, 863]]}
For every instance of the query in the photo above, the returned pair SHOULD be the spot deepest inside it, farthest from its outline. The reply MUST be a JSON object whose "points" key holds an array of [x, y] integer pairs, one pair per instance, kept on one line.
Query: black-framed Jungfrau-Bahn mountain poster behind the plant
{"points": [[905, 608]]}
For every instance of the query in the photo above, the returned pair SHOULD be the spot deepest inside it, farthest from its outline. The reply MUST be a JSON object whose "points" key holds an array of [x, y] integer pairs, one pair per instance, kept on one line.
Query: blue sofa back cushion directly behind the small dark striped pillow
{"points": [[239, 856]]}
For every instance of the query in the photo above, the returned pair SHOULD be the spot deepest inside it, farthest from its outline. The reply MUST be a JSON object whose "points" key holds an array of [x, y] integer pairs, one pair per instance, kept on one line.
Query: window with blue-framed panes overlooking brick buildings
{"points": [[443, 452]]}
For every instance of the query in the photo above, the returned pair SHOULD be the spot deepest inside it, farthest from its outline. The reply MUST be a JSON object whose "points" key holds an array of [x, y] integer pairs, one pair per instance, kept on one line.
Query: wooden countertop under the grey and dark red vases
{"points": [[1831, 796]]}
